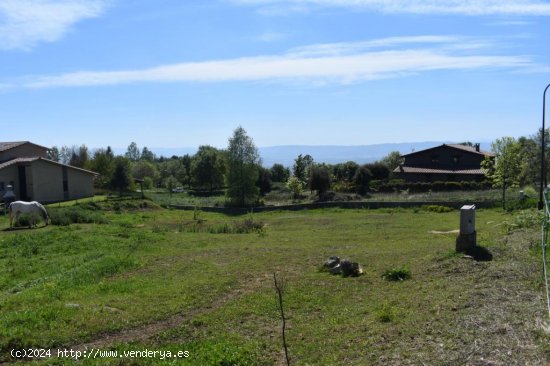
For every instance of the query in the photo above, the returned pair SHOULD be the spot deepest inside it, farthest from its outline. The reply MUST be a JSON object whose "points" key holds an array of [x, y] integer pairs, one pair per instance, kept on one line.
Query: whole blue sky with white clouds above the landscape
{"points": [[172, 73]]}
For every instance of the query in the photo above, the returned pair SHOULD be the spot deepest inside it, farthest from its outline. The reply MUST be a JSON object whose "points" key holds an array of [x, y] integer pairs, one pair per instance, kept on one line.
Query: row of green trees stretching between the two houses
{"points": [[236, 169]]}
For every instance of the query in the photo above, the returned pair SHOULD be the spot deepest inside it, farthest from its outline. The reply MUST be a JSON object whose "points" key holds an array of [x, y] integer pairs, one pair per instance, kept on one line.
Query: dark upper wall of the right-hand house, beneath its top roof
{"points": [[442, 158]]}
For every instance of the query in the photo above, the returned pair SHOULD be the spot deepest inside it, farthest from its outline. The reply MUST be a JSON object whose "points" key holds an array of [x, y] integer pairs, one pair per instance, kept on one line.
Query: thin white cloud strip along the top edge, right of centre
{"points": [[464, 7]]}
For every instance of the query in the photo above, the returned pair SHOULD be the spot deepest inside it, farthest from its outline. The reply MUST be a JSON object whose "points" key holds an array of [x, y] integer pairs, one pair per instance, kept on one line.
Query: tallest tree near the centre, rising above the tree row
{"points": [[243, 161]]}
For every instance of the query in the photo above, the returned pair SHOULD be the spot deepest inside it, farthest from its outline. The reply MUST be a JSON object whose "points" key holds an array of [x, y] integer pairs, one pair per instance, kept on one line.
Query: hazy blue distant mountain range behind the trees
{"points": [[331, 154]]}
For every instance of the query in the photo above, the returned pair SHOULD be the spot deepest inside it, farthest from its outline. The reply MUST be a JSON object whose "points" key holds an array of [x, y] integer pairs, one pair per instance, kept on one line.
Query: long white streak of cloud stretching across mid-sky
{"points": [[324, 63]]}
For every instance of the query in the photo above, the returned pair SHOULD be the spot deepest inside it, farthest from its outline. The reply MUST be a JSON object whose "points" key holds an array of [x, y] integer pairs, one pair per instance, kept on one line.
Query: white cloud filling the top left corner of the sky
{"points": [[25, 23]]}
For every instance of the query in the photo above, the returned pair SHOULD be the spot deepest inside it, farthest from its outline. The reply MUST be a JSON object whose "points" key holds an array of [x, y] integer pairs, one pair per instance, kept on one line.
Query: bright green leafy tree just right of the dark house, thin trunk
{"points": [[505, 169]]}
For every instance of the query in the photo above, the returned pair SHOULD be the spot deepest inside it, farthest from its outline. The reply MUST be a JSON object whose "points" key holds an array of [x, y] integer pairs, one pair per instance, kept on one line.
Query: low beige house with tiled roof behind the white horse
{"points": [[26, 167]]}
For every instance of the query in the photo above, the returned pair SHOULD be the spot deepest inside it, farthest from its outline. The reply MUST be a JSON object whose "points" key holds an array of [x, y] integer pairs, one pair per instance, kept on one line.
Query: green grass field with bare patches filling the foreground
{"points": [[149, 278]]}
